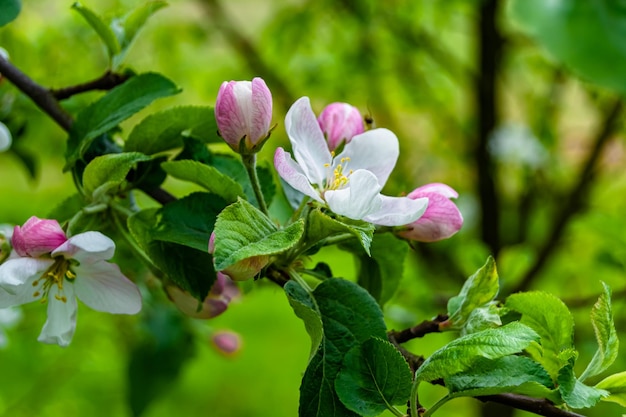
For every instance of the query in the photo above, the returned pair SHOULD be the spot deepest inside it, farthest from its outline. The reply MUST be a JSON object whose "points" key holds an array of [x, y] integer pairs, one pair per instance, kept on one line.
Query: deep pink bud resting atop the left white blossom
{"points": [[37, 237]]}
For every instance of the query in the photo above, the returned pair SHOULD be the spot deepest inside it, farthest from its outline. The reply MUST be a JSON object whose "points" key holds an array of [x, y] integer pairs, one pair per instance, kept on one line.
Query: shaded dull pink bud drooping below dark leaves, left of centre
{"points": [[222, 293]]}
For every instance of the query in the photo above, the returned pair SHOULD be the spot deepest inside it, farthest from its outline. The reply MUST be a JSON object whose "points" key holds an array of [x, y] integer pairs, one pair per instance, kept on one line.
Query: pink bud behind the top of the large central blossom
{"points": [[340, 122]]}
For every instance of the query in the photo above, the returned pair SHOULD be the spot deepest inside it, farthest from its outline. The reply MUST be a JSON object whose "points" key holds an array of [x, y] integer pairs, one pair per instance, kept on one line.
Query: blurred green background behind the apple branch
{"points": [[536, 154]]}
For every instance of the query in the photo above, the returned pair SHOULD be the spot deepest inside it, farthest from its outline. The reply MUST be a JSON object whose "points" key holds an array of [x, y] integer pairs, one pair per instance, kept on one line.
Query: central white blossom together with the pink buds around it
{"points": [[349, 182]]}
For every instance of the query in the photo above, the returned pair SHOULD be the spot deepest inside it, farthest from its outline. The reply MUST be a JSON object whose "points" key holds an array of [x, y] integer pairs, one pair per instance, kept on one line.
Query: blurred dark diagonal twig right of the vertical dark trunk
{"points": [[574, 202]]}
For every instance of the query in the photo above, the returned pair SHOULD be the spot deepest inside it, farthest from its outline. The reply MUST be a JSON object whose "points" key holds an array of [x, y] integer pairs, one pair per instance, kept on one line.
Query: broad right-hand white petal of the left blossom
{"points": [[103, 287]]}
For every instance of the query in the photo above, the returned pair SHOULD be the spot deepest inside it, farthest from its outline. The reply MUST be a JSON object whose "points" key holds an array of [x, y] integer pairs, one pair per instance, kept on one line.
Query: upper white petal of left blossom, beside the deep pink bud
{"points": [[87, 247]]}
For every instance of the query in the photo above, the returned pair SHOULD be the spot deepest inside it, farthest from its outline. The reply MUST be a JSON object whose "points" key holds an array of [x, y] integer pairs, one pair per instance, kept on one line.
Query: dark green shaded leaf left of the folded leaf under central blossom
{"points": [[188, 221]]}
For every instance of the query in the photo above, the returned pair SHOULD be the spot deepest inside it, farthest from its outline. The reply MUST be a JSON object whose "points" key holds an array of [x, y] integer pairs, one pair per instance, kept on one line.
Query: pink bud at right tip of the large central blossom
{"points": [[441, 219]]}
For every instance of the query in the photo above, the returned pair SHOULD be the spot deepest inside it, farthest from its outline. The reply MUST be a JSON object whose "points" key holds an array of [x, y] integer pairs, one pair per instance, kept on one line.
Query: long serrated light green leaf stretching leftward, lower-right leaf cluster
{"points": [[461, 354]]}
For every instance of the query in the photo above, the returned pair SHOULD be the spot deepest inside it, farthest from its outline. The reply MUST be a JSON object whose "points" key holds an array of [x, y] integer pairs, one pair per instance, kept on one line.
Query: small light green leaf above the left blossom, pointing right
{"points": [[110, 170]]}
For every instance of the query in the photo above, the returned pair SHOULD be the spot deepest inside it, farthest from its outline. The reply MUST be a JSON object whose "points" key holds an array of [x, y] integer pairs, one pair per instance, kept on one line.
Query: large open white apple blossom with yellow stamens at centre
{"points": [[348, 183]]}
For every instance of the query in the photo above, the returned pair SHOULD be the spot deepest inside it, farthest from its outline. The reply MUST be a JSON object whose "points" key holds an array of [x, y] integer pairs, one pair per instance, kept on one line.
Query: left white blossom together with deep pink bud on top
{"points": [[76, 268]]}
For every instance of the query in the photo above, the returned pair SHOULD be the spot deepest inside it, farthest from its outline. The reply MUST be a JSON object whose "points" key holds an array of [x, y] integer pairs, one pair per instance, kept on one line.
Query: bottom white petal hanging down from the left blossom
{"points": [[61, 323]]}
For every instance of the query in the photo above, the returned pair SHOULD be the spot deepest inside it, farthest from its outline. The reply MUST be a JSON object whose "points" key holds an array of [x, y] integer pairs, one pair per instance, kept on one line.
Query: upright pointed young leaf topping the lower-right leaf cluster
{"points": [[479, 289]]}
